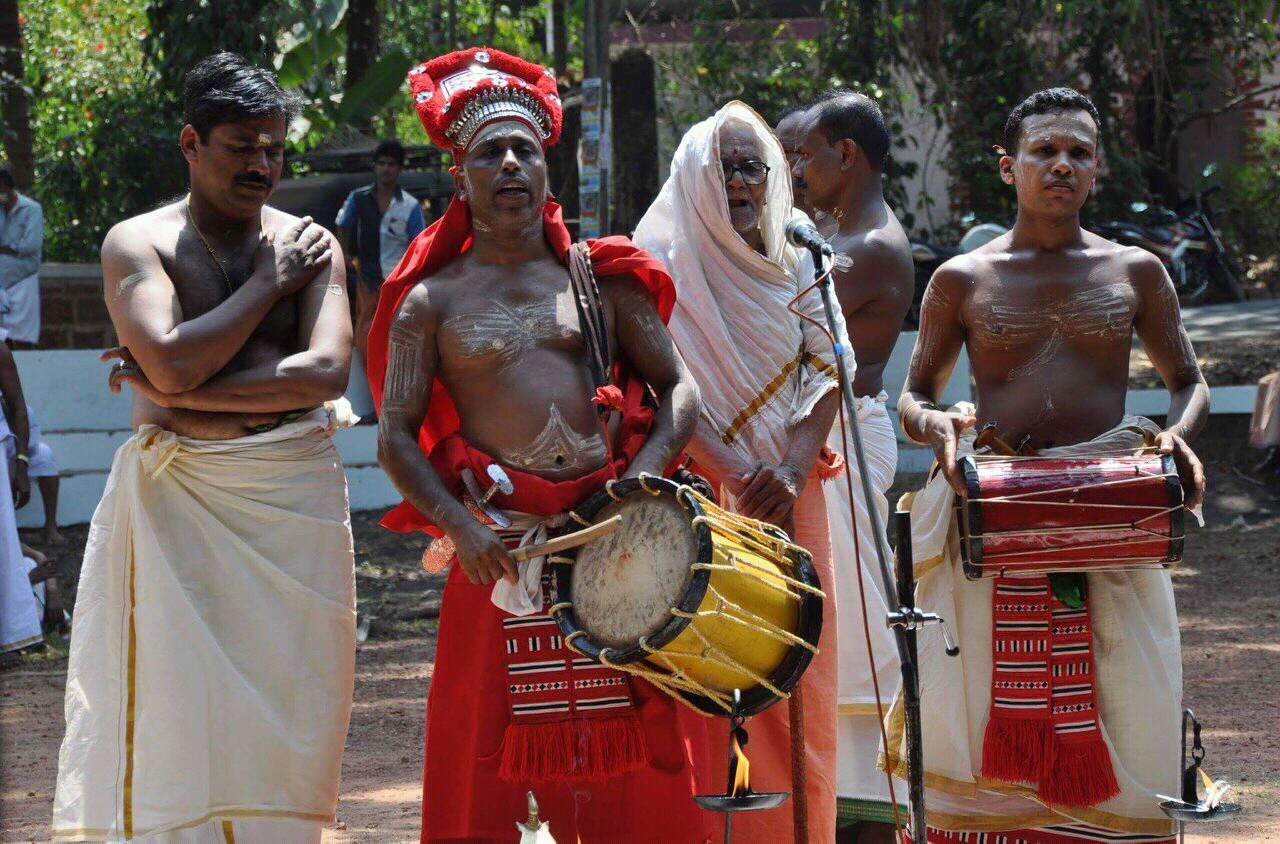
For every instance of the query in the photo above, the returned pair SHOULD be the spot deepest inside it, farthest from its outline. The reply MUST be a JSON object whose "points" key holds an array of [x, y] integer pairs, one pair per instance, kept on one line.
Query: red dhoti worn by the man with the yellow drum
{"points": [[511, 710]]}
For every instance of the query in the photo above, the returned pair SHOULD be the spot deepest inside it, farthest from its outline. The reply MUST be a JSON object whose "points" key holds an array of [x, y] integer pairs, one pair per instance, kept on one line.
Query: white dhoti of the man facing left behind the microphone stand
{"points": [[863, 790]]}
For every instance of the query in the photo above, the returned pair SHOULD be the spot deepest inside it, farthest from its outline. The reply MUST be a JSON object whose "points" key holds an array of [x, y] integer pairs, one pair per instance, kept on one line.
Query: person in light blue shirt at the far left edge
{"points": [[22, 235]]}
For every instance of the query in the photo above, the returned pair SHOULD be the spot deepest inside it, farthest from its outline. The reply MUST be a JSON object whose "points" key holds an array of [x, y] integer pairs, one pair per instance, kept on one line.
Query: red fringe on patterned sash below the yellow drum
{"points": [[573, 751]]}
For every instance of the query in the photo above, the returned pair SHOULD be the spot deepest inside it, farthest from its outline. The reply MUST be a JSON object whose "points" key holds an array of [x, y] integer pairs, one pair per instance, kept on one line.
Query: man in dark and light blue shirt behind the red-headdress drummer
{"points": [[374, 227]]}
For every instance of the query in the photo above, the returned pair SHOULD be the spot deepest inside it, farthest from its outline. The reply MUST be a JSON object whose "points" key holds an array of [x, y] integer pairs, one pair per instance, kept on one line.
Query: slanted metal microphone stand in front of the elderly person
{"points": [[904, 618]]}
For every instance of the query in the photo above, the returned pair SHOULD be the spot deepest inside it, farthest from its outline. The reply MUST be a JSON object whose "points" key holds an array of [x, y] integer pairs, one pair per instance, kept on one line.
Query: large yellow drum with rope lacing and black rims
{"points": [[693, 599]]}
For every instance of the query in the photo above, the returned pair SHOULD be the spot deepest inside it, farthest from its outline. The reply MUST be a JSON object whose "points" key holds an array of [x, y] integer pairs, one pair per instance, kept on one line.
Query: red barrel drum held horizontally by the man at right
{"points": [[1069, 514]]}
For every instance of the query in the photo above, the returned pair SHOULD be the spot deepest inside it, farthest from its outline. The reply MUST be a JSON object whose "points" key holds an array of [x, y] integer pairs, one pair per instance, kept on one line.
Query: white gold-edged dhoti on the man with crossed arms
{"points": [[213, 659]]}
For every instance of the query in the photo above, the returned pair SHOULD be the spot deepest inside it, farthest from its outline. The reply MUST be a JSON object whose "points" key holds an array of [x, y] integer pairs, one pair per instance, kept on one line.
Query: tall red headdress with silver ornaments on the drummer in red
{"points": [[461, 93]]}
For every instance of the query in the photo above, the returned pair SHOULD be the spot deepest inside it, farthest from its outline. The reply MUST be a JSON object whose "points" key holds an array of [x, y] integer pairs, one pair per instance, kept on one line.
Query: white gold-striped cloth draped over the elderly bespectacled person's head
{"points": [[761, 368]]}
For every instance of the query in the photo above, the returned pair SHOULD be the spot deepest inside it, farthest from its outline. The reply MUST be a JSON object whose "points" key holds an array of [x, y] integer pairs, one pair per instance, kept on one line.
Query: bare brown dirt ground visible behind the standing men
{"points": [[1229, 608]]}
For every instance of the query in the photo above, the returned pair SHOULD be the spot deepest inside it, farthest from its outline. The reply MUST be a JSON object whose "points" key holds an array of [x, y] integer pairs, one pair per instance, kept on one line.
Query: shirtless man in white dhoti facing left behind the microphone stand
{"points": [[840, 150]]}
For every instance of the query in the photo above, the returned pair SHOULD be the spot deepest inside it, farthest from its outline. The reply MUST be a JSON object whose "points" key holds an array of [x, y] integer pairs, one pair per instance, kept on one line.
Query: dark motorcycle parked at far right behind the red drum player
{"points": [[1186, 241]]}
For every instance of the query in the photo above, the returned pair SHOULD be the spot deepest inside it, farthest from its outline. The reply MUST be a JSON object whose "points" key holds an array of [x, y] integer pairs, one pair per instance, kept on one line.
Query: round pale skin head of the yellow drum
{"points": [[627, 585]]}
